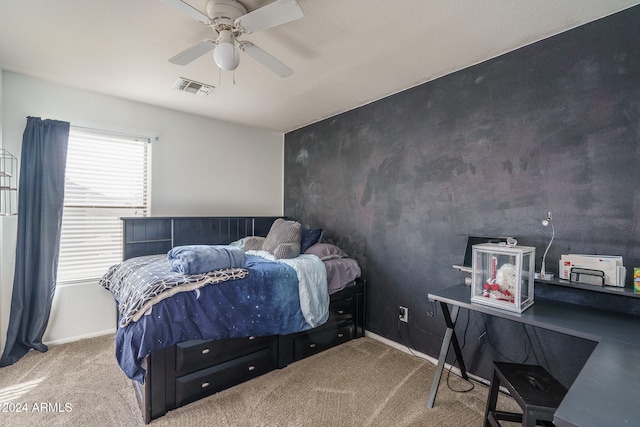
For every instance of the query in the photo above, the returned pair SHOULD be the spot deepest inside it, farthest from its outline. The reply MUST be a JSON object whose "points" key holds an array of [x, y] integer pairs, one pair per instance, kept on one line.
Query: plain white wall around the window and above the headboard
{"points": [[200, 166]]}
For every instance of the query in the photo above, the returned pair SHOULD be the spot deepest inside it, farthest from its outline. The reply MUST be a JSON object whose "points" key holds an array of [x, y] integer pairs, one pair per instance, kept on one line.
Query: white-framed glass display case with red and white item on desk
{"points": [[503, 276]]}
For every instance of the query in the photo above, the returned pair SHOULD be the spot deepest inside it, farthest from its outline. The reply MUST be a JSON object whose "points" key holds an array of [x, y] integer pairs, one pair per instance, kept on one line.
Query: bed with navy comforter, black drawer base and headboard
{"points": [[174, 358]]}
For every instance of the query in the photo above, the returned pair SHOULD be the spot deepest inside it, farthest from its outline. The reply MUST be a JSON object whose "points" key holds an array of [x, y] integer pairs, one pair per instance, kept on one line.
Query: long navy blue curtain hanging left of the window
{"points": [[40, 201]]}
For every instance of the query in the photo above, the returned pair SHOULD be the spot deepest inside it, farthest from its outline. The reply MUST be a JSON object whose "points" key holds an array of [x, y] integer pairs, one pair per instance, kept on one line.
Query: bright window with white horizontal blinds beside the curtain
{"points": [[106, 178]]}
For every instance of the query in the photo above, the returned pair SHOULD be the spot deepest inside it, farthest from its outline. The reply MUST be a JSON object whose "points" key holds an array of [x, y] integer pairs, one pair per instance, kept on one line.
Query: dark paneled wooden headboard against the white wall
{"points": [[157, 235]]}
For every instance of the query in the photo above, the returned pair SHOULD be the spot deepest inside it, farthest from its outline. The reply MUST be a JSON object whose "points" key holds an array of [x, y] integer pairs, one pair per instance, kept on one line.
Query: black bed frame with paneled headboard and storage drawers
{"points": [[191, 370]]}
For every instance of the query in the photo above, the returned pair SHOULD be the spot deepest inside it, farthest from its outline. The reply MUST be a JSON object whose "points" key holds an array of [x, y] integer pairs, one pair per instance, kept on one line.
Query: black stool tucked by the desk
{"points": [[532, 387]]}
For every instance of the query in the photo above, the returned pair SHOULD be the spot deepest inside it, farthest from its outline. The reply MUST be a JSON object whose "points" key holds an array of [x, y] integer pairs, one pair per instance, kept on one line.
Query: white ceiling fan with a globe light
{"points": [[229, 20]]}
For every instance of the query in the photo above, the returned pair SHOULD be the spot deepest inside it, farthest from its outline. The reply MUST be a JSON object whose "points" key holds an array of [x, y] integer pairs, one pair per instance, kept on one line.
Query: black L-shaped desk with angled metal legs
{"points": [[607, 389]]}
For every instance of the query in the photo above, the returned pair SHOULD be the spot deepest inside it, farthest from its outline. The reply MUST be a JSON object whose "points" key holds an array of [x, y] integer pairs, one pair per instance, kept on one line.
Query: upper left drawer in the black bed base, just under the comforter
{"points": [[194, 355]]}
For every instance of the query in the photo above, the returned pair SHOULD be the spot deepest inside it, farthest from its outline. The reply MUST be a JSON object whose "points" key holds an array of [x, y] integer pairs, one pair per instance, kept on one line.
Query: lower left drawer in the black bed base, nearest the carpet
{"points": [[207, 381]]}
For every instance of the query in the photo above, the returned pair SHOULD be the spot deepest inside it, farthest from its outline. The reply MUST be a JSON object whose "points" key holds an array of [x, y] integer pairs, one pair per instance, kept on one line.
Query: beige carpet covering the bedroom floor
{"points": [[360, 383]]}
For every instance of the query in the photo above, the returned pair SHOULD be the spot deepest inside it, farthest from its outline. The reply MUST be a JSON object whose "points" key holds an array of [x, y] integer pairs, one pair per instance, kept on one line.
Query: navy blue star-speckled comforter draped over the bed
{"points": [[265, 302]]}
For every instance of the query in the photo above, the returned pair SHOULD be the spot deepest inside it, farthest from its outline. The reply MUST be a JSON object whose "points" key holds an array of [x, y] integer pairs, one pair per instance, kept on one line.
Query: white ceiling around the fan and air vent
{"points": [[344, 53]]}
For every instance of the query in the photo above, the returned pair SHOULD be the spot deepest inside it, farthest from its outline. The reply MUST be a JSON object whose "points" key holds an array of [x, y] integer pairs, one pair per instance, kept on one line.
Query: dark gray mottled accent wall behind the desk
{"points": [[488, 150]]}
